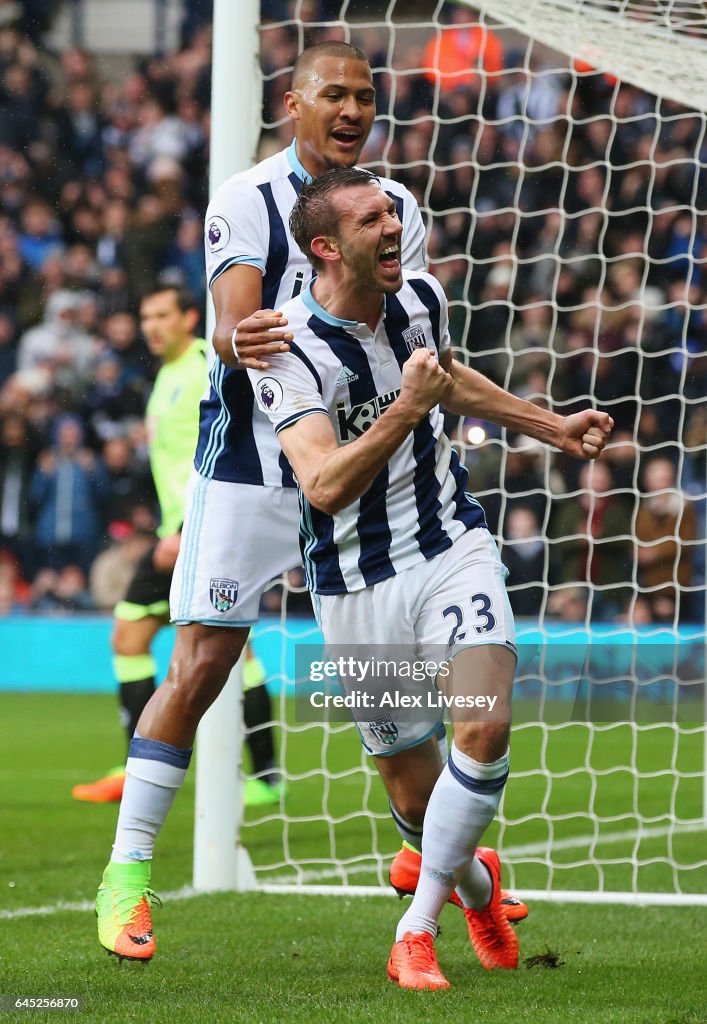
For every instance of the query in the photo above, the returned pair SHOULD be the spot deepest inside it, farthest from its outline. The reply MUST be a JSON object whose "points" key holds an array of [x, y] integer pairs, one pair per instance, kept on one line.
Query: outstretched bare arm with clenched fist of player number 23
{"points": [[583, 435]]}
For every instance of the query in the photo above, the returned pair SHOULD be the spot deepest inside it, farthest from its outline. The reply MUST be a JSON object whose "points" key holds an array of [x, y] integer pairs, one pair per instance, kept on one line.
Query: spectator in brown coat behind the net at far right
{"points": [[666, 532]]}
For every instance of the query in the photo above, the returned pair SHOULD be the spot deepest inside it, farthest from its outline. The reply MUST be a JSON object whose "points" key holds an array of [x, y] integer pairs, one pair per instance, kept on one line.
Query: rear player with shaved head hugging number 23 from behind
{"points": [[242, 489]]}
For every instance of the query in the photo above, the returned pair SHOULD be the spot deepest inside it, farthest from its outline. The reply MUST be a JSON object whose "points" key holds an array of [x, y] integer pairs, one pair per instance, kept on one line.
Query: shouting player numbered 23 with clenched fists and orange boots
{"points": [[397, 551]]}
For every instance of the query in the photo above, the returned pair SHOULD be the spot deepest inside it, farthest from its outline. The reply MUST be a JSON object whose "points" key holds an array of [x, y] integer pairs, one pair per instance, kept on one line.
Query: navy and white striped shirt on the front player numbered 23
{"points": [[419, 505]]}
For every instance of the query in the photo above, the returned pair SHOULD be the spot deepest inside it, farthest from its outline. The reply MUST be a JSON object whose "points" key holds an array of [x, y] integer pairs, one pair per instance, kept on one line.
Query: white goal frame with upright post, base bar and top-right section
{"points": [[221, 863]]}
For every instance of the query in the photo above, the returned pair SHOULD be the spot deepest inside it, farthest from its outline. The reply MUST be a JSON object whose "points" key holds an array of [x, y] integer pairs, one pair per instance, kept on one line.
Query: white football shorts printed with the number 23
{"points": [[429, 613]]}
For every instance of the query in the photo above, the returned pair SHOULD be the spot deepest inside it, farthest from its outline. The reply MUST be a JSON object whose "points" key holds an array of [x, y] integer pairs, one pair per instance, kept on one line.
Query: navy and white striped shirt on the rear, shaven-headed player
{"points": [[247, 223]]}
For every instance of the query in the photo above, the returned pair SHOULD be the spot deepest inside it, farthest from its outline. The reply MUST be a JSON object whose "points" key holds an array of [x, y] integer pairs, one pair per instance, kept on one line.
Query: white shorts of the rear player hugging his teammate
{"points": [[236, 539]]}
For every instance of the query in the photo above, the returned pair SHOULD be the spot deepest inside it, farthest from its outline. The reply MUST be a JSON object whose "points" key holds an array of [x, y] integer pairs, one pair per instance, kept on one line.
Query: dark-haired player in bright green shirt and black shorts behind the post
{"points": [[169, 320]]}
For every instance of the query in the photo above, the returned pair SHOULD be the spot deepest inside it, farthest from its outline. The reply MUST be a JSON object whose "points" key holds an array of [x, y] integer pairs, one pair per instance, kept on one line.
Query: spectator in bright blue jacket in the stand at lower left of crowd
{"points": [[67, 495]]}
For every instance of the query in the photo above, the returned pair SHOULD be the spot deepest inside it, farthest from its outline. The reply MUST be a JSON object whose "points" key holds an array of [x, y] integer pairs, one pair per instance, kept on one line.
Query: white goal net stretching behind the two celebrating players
{"points": [[558, 152]]}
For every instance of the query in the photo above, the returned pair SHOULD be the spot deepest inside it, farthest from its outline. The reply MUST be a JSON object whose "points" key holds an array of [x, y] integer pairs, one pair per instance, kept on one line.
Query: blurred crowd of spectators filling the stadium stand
{"points": [[103, 190]]}
